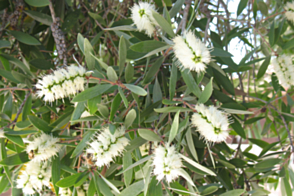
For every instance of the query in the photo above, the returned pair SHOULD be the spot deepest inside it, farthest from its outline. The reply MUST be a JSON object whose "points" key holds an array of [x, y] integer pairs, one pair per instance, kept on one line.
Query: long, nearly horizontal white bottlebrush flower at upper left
{"points": [[62, 83]]}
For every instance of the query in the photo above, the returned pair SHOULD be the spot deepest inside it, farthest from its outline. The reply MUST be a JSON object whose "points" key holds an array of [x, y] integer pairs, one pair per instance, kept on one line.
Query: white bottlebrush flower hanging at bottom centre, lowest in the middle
{"points": [[167, 163]]}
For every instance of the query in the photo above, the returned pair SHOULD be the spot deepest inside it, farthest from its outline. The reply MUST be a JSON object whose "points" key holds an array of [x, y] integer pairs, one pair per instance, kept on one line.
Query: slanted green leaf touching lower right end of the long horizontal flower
{"points": [[91, 92]]}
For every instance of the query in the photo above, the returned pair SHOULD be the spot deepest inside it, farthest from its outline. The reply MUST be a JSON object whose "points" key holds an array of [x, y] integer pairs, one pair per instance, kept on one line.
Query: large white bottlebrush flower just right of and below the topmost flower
{"points": [[190, 52]]}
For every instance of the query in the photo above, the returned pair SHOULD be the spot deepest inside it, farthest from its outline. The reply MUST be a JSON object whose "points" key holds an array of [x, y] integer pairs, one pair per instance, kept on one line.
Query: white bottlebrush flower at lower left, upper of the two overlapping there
{"points": [[43, 147]]}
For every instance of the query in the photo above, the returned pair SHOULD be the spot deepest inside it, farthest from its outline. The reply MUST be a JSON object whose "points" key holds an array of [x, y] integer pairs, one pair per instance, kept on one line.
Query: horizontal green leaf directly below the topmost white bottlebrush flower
{"points": [[147, 46]]}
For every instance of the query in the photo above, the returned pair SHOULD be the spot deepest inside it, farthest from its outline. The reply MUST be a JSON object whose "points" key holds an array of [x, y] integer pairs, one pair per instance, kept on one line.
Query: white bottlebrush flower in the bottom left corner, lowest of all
{"points": [[33, 177]]}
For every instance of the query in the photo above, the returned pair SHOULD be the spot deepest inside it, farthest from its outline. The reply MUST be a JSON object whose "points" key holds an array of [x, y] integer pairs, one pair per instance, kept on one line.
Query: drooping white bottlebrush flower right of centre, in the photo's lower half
{"points": [[211, 123]]}
